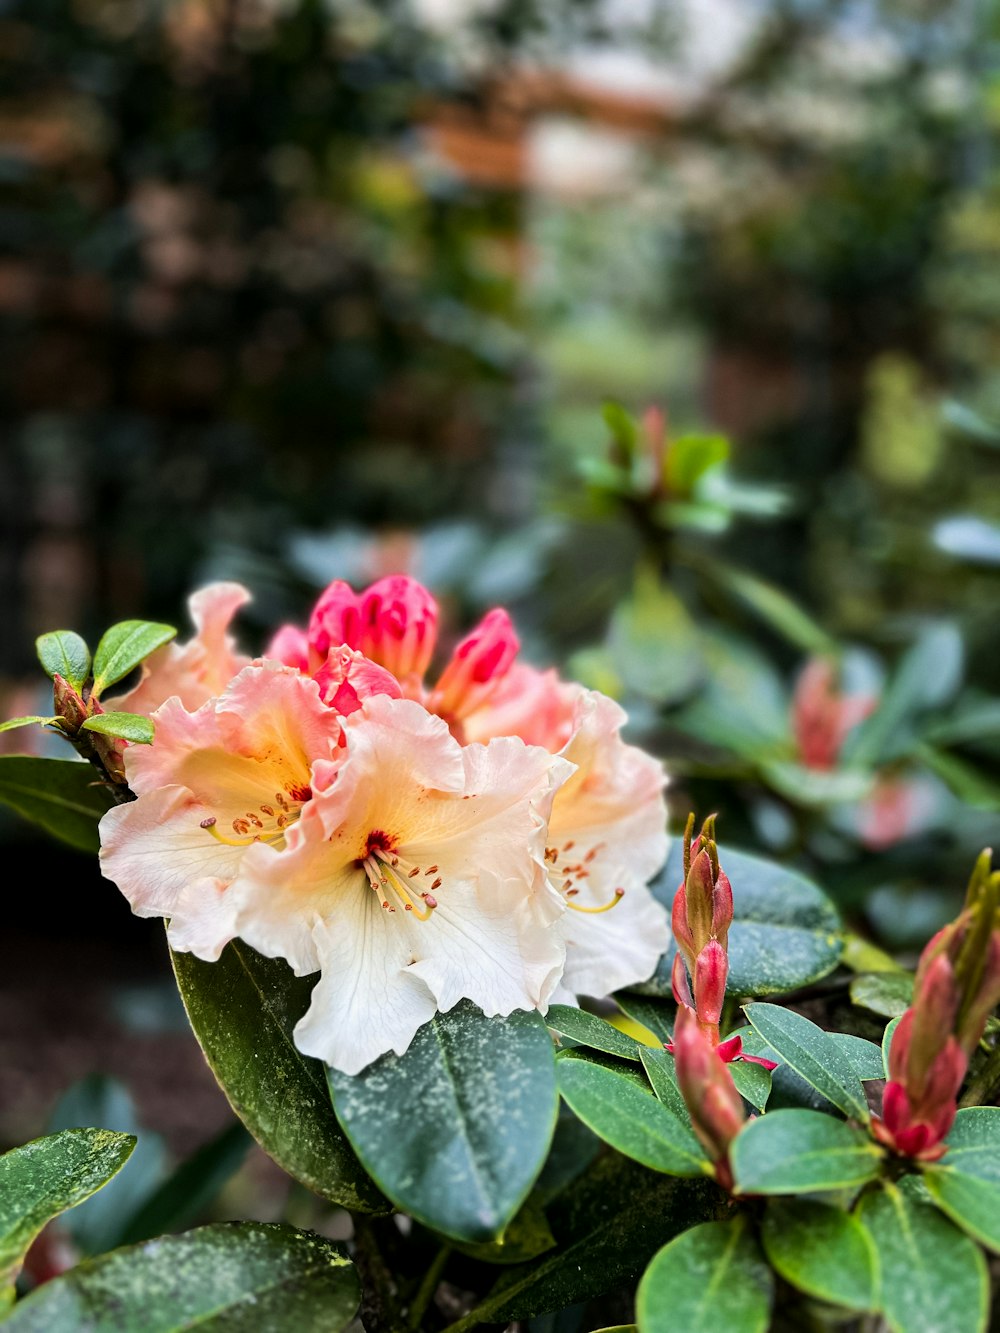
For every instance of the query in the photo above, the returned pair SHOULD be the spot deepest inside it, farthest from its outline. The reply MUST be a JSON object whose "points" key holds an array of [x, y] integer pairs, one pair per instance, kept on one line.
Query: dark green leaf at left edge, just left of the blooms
{"points": [[63, 796]]}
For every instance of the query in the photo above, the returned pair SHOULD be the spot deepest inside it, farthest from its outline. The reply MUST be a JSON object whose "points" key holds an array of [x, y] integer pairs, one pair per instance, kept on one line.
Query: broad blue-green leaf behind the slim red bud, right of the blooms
{"points": [[786, 931]]}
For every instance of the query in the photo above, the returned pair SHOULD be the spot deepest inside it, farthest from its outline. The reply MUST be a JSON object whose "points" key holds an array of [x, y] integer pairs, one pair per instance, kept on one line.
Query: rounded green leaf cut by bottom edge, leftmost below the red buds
{"points": [[710, 1278]]}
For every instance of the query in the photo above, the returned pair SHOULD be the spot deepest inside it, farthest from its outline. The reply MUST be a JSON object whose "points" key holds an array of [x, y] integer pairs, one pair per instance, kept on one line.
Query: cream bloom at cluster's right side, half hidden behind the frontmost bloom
{"points": [[606, 839]]}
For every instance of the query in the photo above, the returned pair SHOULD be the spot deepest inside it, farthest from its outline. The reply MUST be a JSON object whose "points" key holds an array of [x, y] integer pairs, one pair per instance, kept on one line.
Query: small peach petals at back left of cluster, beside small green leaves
{"points": [[201, 668]]}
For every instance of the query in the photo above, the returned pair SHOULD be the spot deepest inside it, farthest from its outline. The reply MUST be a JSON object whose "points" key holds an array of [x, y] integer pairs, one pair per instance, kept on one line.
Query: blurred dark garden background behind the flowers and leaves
{"points": [[674, 327]]}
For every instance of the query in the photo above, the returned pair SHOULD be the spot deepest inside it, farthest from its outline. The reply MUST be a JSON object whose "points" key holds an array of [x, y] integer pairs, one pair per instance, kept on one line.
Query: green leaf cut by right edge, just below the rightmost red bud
{"points": [[966, 1184]]}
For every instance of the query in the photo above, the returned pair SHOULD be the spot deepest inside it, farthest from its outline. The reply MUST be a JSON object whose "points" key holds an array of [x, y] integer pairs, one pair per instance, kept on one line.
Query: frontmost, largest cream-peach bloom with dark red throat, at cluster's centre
{"points": [[426, 887]]}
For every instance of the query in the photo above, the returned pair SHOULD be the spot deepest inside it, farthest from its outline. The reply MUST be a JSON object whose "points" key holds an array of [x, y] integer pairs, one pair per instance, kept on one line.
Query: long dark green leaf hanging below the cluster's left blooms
{"points": [[243, 1010]]}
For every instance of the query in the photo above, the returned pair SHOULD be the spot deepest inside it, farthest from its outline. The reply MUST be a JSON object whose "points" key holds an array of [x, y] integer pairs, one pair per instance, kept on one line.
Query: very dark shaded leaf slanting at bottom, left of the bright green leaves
{"points": [[609, 1224]]}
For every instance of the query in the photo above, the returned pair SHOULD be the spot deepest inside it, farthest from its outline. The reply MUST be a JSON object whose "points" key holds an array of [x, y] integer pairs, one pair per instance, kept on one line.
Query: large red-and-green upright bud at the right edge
{"points": [[957, 988]]}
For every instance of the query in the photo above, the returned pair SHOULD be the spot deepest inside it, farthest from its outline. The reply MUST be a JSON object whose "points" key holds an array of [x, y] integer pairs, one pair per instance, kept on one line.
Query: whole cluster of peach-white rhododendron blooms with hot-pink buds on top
{"points": [[415, 843]]}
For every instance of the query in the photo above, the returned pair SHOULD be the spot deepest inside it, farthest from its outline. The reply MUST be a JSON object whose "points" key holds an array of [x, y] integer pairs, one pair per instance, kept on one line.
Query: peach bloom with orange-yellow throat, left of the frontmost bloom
{"points": [[237, 774]]}
